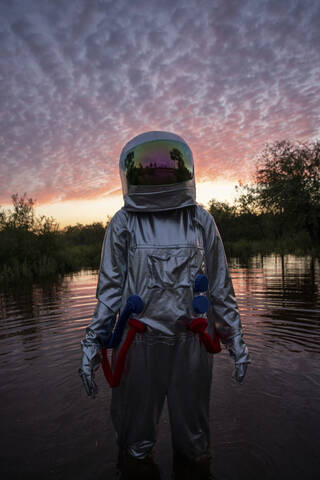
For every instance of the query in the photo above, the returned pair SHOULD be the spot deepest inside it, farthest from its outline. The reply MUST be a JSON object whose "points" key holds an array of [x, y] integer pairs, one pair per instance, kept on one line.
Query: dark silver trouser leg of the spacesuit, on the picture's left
{"points": [[138, 401]]}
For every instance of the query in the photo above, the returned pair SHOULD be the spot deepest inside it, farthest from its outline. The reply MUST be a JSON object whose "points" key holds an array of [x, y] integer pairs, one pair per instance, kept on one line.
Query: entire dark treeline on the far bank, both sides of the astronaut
{"points": [[278, 212]]}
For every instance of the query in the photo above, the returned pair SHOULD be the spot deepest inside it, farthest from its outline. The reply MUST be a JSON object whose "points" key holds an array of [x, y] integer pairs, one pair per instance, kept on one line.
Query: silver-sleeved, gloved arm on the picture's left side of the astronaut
{"points": [[112, 275]]}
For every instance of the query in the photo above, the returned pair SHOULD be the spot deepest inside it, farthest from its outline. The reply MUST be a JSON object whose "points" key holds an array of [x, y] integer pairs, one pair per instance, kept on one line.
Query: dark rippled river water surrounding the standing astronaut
{"points": [[267, 428]]}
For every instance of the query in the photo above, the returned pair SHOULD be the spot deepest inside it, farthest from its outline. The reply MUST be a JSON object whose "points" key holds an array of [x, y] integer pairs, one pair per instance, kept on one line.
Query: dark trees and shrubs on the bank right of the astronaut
{"points": [[280, 211]]}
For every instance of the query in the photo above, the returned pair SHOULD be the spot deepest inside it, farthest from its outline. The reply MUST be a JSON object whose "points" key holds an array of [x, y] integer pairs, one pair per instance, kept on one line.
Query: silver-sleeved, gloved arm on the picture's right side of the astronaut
{"points": [[223, 301]]}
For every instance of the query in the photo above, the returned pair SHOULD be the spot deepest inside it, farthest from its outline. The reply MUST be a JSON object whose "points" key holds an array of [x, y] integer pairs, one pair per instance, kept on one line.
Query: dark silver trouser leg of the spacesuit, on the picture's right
{"points": [[189, 397]]}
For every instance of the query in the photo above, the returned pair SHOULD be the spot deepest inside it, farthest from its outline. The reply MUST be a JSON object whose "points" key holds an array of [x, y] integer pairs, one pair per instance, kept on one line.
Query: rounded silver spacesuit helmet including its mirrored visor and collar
{"points": [[153, 166]]}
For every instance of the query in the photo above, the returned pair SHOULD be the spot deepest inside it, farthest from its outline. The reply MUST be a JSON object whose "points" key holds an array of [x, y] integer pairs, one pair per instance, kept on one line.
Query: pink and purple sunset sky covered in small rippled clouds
{"points": [[79, 78]]}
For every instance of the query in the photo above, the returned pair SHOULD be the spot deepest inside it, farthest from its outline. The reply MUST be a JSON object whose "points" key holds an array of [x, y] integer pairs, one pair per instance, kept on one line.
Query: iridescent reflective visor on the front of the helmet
{"points": [[160, 162]]}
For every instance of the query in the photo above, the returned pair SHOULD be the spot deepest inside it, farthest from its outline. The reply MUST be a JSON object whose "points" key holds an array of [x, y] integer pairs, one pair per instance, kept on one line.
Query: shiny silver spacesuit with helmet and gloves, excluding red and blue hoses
{"points": [[154, 247]]}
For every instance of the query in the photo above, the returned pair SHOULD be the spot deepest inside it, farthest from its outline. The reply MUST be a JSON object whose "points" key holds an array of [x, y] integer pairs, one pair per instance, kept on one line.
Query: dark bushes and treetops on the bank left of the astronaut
{"points": [[33, 246]]}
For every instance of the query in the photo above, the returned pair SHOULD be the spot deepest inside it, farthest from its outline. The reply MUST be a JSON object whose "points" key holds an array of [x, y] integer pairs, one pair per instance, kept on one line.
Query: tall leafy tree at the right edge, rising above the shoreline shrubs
{"points": [[286, 185]]}
